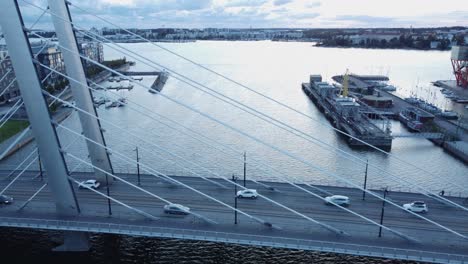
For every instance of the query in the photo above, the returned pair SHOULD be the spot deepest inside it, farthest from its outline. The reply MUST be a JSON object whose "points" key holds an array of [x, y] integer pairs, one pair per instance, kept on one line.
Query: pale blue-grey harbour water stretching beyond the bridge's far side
{"points": [[276, 70]]}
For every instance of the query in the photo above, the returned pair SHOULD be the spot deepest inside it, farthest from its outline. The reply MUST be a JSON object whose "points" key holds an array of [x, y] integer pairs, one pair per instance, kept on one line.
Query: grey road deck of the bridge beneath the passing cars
{"points": [[295, 232]]}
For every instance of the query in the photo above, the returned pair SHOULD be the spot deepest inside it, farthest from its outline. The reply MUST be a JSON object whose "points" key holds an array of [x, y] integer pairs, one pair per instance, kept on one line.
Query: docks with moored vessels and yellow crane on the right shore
{"points": [[370, 97]]}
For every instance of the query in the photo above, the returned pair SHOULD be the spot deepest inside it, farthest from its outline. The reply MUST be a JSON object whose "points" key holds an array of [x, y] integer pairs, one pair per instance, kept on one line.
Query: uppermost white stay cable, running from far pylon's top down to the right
{"points": [[252, 90]]}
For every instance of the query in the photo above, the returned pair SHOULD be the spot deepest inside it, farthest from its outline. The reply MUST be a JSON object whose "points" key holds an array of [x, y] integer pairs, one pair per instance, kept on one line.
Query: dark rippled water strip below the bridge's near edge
{"points": [[125, 249]]}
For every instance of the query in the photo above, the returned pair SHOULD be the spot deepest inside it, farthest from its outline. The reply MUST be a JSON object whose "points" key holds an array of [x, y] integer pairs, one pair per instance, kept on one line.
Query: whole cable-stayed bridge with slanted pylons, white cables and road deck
{"points": [[289, 212]]}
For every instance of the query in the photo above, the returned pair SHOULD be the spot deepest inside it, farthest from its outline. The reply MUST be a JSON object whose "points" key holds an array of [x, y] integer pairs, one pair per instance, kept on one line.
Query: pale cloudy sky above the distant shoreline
{"points": [[264, 13]]}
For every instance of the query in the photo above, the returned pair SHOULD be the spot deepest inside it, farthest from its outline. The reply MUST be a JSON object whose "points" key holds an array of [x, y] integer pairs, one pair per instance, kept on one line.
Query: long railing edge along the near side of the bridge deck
{"points": [[236, 238]]}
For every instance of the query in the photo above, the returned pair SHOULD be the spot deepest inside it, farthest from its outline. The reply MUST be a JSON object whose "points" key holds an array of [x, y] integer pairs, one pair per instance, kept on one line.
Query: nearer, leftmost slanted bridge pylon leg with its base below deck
{"points": [[39, 116]]}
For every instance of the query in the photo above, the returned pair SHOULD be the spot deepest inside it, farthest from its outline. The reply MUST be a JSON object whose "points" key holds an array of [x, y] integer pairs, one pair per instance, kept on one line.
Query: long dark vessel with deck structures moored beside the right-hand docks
{"points": [[345, 114]]}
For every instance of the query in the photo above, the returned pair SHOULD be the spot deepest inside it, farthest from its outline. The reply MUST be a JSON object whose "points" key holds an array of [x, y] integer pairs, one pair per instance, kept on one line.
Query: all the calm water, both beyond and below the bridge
{"points": [[277, 70]]}
